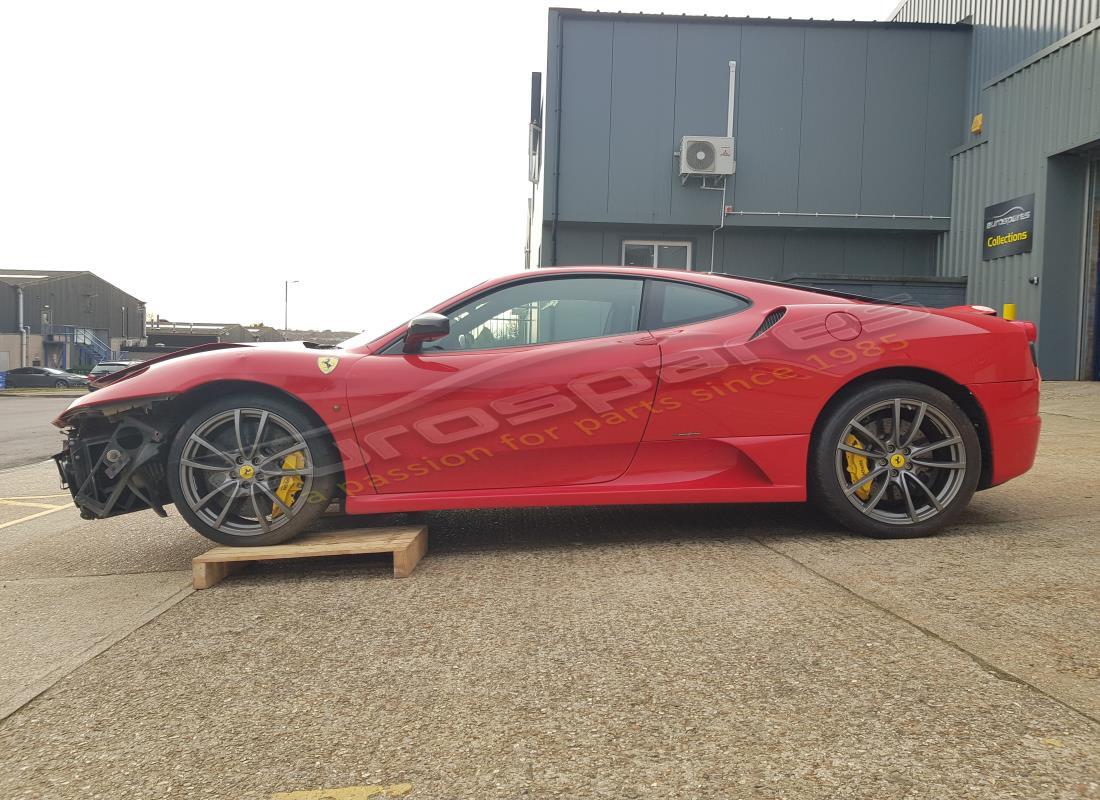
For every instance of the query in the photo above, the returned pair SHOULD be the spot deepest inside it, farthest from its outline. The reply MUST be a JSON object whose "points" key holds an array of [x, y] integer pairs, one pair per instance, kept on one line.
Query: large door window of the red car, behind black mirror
{"points": [[543, 312]]}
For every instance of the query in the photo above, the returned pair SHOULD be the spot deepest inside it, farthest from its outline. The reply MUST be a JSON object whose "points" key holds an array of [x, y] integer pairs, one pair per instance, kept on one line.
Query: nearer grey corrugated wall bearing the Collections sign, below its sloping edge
{"points": [[1035, 119]]}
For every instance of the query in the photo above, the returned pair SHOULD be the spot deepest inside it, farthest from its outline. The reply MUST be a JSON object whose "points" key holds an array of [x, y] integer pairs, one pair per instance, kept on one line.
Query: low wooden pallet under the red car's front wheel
{"points": [[409, 544]]}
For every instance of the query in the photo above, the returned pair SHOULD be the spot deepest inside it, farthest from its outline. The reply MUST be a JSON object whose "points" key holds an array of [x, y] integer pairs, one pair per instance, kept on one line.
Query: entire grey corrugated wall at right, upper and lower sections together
{"points": [[1036, 78]]}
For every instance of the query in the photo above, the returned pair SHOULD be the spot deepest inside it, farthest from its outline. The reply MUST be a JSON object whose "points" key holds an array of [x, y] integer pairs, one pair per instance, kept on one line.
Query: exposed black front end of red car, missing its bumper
{"points": [[114, 462]]}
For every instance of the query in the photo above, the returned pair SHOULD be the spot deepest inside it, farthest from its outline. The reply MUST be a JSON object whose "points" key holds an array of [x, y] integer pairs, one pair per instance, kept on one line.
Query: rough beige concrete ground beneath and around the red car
{"points": [[733, 652]]}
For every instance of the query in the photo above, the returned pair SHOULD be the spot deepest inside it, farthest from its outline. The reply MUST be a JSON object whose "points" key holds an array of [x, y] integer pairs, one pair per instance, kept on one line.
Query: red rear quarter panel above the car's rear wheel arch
{"points": [[722, 383]]}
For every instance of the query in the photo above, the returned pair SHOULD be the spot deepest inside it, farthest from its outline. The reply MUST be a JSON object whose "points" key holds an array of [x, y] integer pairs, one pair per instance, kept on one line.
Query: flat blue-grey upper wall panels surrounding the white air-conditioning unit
{"points": [[845, 118]]}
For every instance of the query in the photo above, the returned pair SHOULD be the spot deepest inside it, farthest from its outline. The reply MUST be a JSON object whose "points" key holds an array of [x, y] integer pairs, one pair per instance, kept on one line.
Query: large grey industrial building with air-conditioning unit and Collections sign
{"points": [[949, 155]]}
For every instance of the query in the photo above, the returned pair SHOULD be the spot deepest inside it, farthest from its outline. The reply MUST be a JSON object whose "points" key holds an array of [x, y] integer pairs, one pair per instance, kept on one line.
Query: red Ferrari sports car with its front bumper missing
{"points": [[576, 387]]}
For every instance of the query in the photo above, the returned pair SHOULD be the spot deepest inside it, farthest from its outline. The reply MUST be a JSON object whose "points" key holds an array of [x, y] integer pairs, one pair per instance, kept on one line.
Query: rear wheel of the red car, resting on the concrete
{"points": [[896, 461]]}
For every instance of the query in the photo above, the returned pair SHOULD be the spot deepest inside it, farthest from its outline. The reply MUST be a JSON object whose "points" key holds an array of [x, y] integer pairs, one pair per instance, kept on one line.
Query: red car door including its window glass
{"points": [[542, 382]]}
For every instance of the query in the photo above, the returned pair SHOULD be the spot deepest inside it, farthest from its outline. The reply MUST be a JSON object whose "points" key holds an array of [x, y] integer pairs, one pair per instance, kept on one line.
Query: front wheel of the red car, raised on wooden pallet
{"points": [[250, 470]]}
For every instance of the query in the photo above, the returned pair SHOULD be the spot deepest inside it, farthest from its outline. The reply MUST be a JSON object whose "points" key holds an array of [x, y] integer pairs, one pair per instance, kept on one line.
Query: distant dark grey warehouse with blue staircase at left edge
{"points": [[67, 320]]}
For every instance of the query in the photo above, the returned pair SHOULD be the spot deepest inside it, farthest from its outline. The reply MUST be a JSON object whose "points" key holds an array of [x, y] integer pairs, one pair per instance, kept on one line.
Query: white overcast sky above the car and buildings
{"points": [[199, 155]]}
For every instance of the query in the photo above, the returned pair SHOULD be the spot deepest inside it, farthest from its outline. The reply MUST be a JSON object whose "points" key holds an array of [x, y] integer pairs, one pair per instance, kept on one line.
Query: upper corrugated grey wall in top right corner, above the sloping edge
{"points": [[1005, 34]]}
